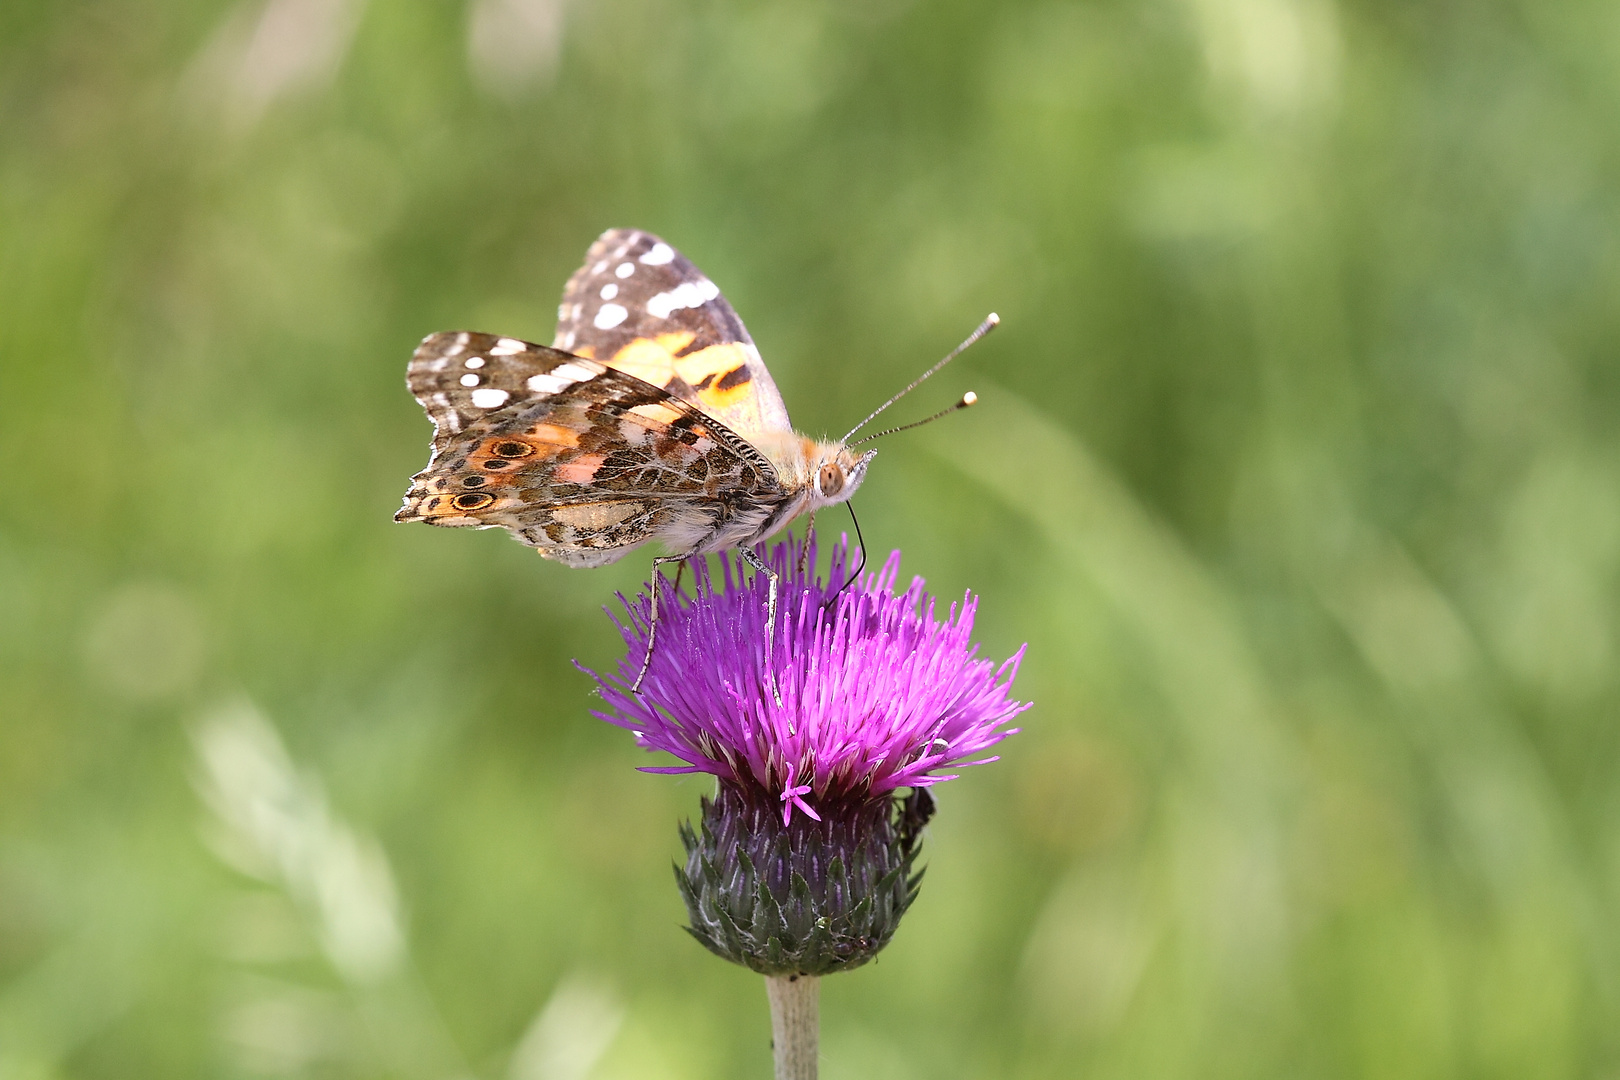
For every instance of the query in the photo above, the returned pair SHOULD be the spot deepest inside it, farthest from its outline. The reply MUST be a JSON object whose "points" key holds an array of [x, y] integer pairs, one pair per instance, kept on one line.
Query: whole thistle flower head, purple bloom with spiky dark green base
{"points": [[803, 861]]}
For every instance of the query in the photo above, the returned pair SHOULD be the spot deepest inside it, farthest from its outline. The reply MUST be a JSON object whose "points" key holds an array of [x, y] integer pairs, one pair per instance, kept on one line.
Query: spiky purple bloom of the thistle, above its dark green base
{"points": [[877, 694]]}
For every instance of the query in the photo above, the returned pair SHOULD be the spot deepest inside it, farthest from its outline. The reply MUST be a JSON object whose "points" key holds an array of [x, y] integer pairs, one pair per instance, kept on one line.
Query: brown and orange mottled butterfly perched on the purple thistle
{"points": [[649, 419]]}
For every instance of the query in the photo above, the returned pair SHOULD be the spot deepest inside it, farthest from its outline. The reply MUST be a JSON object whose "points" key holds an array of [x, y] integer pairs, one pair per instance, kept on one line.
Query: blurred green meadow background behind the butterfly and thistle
{"points": [[1295, 466]]}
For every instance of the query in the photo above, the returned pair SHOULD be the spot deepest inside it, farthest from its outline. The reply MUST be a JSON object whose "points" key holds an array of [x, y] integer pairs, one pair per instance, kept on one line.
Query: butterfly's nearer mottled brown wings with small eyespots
{"points": [[576, 459]]}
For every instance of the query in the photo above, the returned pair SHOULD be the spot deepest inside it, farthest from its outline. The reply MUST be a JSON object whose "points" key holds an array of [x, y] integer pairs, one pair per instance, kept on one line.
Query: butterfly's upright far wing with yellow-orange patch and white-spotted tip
{"points": [[641, 307]]}
